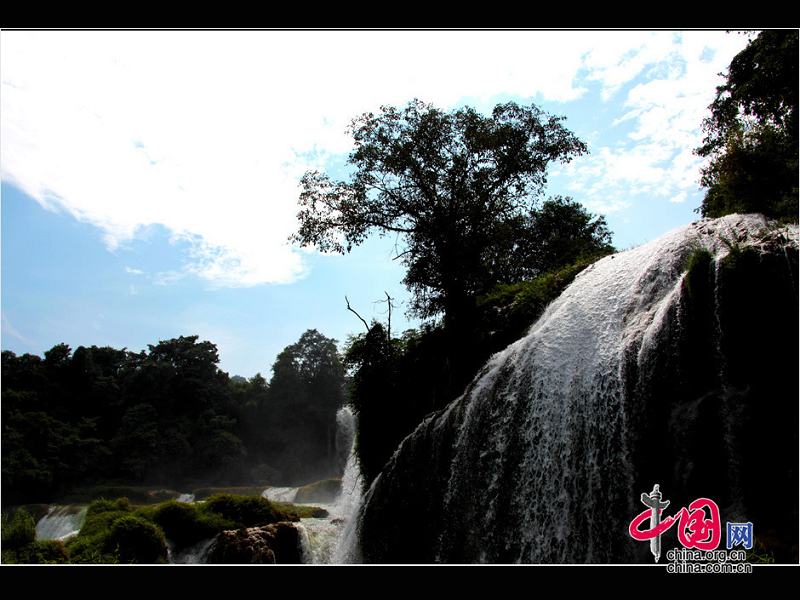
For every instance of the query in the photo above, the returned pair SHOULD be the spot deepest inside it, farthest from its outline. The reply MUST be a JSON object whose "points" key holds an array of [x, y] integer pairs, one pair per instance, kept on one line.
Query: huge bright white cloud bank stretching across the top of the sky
{"points": [[207, 133]]}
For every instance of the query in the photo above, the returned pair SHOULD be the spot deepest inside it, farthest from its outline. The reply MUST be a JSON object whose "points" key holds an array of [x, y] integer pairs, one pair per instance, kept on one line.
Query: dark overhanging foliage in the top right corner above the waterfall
{"points": [[751, 134]]}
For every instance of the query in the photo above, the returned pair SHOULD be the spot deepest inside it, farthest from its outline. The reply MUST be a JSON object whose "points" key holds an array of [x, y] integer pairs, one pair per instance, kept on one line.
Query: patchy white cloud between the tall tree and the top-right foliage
{"points": [[679, 74]]}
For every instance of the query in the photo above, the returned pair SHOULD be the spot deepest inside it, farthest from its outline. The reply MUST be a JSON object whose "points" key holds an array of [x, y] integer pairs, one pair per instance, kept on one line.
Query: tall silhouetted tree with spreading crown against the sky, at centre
{"points": [[454, 187]]}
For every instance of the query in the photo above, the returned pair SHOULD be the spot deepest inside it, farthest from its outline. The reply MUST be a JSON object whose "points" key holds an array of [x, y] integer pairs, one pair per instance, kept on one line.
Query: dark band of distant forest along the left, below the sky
{"points": [[167, 416]]}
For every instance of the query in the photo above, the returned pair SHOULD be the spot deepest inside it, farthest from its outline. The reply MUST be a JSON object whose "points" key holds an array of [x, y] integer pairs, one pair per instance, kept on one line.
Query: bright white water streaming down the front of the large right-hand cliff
{"points": [[542, 470]]}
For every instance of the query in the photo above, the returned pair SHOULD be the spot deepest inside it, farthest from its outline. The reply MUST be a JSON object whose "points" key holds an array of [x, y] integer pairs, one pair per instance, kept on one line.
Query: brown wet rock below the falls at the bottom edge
{"points": [[278, 543]]}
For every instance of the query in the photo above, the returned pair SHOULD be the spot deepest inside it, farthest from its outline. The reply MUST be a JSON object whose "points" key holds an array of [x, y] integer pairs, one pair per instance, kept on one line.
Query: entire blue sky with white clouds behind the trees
{"points": [[149, 179]]}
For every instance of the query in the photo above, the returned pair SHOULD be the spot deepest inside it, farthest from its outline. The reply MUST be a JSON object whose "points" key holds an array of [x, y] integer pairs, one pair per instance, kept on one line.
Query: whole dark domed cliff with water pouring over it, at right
{"points": [[673, 363]]}
